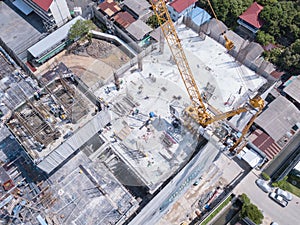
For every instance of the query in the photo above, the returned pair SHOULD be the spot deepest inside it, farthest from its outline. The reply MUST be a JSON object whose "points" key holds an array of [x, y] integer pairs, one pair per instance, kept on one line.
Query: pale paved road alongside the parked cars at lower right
{"points": [[289, 215]]}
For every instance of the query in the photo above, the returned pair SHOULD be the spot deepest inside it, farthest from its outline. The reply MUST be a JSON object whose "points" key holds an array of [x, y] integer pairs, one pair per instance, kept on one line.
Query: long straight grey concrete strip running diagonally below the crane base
{"points": [[161, 203]]}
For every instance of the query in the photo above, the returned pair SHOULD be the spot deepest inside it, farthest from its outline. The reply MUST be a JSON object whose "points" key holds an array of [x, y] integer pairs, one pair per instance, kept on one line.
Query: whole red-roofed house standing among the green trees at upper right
{"points": [[250, 18]]}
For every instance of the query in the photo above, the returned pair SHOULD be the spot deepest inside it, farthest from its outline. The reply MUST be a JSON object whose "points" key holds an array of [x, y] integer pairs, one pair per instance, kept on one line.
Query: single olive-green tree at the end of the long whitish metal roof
{"points": [[81, 29]]}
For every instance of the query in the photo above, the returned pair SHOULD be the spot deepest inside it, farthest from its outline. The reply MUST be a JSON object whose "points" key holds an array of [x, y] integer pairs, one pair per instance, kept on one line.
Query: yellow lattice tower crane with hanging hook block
{"points": [[197, 110]]}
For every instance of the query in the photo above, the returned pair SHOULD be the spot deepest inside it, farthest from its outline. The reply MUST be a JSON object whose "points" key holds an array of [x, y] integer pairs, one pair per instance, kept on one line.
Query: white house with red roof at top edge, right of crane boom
{"points": [[178, 8]]}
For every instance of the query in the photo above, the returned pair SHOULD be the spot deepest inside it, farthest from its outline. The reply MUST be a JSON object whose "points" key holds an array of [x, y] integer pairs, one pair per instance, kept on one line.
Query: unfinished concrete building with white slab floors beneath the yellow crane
{"points": [[102, 155]]}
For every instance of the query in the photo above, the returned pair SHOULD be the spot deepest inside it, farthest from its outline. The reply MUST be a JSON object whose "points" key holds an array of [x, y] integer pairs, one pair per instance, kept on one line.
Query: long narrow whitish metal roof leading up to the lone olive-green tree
{"points": [[52, 39]]}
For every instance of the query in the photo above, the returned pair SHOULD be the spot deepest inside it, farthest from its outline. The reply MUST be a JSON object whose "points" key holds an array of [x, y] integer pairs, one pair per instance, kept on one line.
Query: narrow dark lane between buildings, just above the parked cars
{"points": [[283, 156]]}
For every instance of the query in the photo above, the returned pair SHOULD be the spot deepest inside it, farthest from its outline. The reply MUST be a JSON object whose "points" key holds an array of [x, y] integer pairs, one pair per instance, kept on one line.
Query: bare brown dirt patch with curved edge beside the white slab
{"points": [[94, 63]]}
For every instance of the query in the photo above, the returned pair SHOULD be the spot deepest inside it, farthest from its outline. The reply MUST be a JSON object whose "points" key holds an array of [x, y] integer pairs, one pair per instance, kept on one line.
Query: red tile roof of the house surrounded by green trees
{"points": [[251, 15]]}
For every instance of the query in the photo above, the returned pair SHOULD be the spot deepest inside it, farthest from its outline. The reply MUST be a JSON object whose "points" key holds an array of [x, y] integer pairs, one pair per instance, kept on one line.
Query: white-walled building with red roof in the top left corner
{"points": [[54, 13]]}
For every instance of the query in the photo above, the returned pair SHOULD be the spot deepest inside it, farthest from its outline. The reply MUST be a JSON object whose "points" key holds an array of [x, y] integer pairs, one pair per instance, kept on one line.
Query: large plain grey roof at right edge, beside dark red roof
{"points": [[279, 118]]}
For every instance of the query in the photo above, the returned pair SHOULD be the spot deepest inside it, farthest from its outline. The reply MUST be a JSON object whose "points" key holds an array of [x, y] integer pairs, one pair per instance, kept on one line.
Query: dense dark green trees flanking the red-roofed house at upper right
{"points": [[281, 27]]}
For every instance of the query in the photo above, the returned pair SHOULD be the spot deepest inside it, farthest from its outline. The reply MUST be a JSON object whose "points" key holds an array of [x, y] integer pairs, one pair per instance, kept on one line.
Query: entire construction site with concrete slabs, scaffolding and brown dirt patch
{"points": [[125, 147]]}
